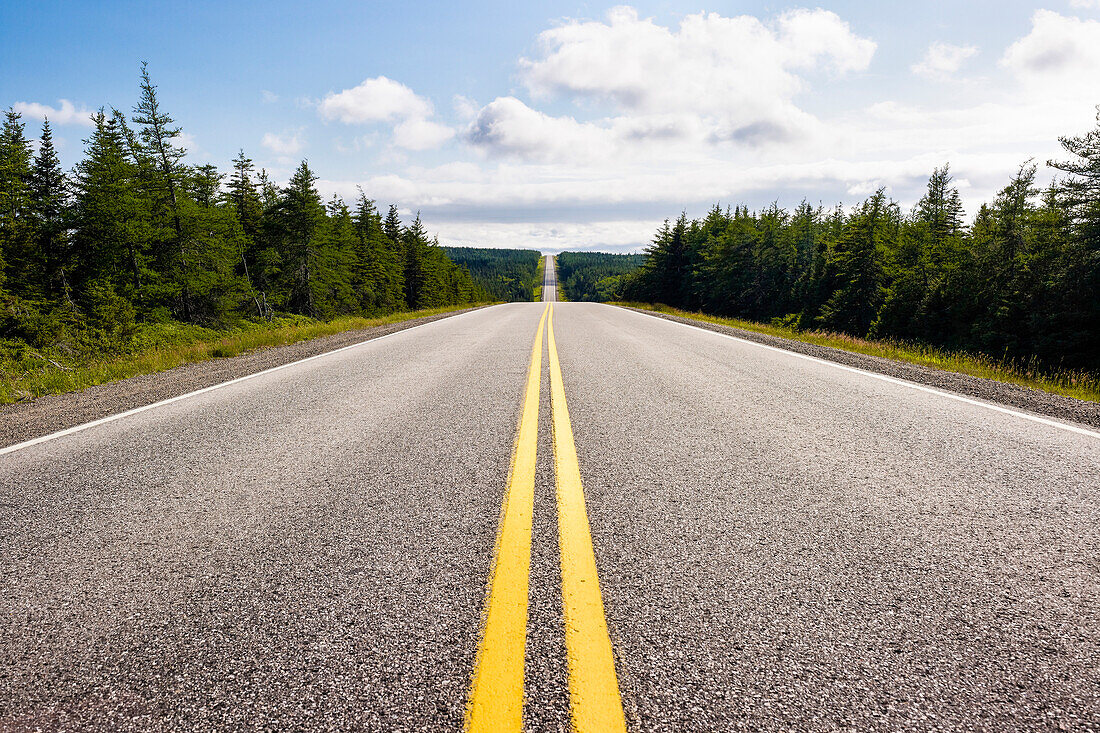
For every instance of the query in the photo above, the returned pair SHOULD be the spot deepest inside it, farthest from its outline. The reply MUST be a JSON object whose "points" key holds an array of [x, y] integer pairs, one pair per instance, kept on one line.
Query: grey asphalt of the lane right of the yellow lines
{"points": [[784, 545]]}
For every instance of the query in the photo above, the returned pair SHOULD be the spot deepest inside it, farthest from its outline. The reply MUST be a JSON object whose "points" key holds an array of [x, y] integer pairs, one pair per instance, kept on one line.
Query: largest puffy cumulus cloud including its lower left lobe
{"points": [[711, 81]]}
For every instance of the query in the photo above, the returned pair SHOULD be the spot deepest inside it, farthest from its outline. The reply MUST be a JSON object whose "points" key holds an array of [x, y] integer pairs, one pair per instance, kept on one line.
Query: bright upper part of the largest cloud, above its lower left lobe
{"points": [[740, 70]]}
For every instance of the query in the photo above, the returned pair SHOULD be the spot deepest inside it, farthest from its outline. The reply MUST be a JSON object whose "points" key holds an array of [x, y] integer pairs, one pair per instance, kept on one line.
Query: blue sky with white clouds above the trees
{"points": [[575, 125]]}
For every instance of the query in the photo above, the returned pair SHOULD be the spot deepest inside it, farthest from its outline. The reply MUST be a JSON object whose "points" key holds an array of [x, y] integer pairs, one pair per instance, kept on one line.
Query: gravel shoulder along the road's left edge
{"points": [[30, 420]]}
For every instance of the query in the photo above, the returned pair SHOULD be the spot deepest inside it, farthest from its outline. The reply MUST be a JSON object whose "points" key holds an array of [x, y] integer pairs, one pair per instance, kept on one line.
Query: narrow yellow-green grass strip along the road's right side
{"points": [[1079, 385]]}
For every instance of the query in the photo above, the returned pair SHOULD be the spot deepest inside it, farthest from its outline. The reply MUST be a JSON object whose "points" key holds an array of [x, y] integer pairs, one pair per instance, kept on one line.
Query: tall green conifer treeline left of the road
{"points": [[136, 235]]}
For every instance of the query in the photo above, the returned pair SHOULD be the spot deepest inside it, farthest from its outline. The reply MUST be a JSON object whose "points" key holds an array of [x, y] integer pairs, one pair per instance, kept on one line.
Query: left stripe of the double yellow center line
{"points": [[497, 699]]}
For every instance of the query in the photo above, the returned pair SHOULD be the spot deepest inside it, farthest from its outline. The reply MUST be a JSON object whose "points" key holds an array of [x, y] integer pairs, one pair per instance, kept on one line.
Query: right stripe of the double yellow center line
{"points": [[593, 687]]}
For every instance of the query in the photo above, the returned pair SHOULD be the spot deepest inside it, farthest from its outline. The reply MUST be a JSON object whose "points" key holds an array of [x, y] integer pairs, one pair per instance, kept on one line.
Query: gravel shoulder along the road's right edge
{"points": [[1013, 396]]}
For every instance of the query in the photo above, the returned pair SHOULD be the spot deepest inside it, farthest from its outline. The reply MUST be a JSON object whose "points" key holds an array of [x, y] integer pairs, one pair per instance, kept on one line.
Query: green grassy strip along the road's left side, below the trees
{"points": [[32, 374]]}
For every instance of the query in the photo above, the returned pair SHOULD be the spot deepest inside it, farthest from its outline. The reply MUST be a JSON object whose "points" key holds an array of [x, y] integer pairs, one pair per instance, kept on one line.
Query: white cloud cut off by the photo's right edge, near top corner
{"points": [[1061, 56]]}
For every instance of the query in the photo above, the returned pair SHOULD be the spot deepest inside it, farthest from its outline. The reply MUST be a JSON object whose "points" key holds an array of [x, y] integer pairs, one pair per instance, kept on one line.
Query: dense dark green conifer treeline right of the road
{"points": [[1021, 281]]}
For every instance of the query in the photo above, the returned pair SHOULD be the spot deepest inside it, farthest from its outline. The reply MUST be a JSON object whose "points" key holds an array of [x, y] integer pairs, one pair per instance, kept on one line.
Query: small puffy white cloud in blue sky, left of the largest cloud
{"points": [[383, 100]]}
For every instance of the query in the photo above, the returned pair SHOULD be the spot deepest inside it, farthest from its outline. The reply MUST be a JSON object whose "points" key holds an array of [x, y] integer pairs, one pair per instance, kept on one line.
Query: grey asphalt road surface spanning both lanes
{"points": [[782, 544]]}
